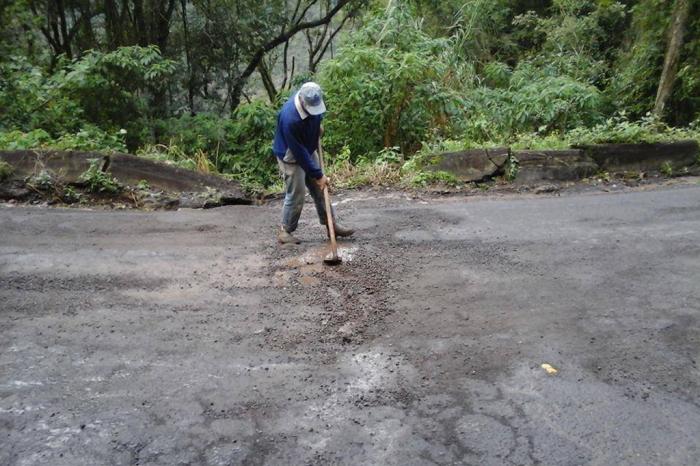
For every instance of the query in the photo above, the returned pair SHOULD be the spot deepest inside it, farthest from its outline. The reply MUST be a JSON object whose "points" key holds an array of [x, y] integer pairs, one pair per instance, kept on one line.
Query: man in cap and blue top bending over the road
{"points": [[296, 147]]}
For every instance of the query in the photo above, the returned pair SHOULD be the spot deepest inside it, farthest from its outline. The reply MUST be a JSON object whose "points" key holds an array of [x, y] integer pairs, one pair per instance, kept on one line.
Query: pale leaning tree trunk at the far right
{"points": [[673, 51]]}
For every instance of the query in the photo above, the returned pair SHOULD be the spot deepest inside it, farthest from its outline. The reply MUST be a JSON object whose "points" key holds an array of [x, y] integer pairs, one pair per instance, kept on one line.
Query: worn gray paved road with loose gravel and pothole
{"points": [[190, 338]]}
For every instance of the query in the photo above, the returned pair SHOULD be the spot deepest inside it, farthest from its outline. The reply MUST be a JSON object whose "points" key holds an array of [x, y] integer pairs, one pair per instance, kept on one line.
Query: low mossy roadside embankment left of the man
{"points": [[114, 179]]}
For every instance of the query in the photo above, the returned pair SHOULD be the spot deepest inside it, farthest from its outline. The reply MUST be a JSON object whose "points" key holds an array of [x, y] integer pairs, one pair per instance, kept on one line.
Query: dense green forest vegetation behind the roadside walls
{"points": [[198, 84]]}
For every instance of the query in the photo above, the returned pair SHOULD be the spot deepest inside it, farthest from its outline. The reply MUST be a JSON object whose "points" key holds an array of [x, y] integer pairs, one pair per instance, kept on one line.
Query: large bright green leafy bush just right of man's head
{"points": [[389, 86]]}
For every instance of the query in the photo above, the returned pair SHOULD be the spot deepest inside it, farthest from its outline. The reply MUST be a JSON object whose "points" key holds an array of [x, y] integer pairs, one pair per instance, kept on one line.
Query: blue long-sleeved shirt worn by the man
{"points": [[299, 132]]}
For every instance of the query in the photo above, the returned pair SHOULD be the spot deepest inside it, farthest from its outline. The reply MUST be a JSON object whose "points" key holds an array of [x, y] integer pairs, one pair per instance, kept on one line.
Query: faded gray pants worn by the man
{"points": [[295, 184]]}
